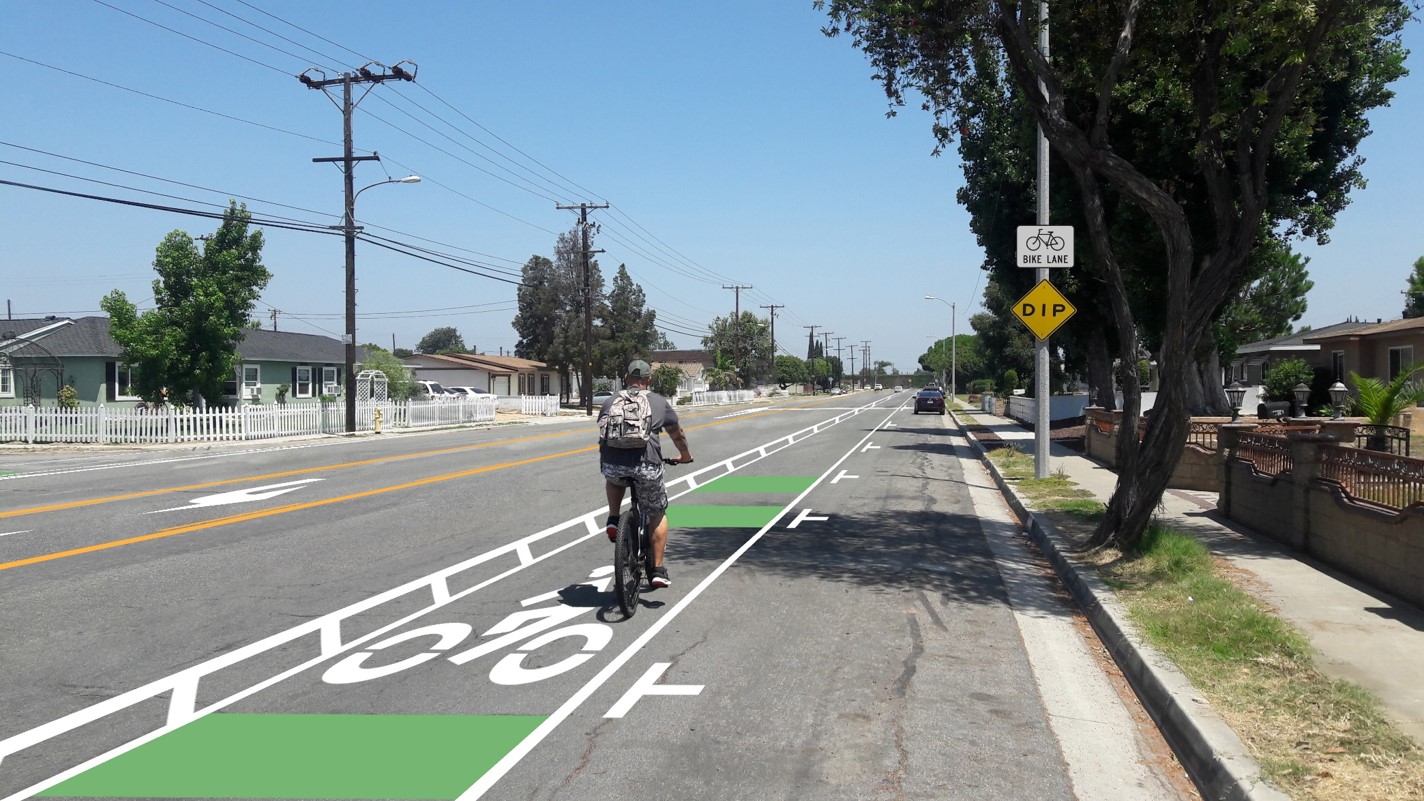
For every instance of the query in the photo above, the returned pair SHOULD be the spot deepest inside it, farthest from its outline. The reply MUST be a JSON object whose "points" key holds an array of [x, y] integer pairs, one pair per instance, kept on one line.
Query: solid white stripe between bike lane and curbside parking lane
{"points": [[513, 758]]}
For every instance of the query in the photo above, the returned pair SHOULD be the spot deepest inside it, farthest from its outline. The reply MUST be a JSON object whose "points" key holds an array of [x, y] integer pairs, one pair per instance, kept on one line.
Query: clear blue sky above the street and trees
{"points": [[735, 143]]}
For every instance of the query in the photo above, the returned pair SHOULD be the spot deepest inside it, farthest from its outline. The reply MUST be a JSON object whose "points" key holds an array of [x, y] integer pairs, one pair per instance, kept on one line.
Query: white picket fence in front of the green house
{"points": [[108, 425]]}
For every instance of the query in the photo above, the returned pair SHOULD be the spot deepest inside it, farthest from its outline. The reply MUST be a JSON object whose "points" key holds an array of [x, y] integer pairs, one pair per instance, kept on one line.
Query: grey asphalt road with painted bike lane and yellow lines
{"points": [[429, 616]]}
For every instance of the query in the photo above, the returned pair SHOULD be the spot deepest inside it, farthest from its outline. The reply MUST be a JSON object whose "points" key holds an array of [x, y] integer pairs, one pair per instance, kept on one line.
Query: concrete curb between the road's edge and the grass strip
{"points": [[1213, 755]]}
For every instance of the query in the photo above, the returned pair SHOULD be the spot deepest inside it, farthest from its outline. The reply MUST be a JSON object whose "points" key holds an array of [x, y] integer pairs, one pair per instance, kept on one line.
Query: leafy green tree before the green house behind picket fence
{"points": [[187, 344]]}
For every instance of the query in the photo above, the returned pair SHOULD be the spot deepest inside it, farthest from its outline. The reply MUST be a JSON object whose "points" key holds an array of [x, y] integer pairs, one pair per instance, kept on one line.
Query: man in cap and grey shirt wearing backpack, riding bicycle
{"points": [[643, 467]]}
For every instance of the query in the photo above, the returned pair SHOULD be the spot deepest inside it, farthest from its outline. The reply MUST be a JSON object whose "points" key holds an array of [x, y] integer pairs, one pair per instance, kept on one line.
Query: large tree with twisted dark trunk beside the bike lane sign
{"points": [[1190, 116]]}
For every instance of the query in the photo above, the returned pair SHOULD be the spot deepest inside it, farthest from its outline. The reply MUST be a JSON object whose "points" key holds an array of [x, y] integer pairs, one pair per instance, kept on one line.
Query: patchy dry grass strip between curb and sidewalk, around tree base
{"points": [[1318, 739]]}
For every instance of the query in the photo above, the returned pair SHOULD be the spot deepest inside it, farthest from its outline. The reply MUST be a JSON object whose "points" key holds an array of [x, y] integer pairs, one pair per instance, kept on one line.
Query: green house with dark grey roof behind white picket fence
{"points": [[41, 357]]}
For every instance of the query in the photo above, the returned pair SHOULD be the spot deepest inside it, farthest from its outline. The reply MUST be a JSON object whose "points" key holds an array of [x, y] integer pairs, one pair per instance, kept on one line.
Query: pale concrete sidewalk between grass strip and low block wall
{"points": [[1359, 634]]}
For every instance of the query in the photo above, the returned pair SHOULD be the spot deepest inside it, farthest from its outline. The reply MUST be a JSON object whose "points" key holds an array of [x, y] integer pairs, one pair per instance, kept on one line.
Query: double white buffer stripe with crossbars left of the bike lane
{"points": [[183, 686]]}
